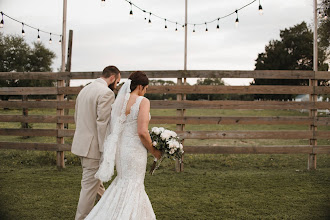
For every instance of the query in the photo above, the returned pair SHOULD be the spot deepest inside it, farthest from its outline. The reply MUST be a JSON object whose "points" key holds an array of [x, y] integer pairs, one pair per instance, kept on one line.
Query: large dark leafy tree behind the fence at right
{"points": [[293, 52]]}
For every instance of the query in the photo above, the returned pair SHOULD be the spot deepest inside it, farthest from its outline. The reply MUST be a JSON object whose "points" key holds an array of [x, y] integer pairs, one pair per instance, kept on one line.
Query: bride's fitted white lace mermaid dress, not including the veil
{"points": [[126, 198]]}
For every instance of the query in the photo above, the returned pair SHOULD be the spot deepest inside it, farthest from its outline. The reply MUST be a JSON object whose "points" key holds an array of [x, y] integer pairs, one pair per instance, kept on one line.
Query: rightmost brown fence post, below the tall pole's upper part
{"points": [[313, 127]]}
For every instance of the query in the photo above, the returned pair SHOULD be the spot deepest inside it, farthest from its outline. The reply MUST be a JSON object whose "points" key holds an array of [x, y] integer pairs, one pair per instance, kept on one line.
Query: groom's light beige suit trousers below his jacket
{"points": [[90, 187]]}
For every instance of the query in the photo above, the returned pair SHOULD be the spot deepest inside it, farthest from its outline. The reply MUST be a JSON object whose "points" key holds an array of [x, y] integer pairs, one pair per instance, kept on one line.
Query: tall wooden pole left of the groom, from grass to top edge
{"points": [[60, 97]]}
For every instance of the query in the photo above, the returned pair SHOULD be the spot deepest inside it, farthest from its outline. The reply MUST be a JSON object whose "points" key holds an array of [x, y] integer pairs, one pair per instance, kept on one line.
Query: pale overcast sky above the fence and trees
{"points": [[106, 35]]}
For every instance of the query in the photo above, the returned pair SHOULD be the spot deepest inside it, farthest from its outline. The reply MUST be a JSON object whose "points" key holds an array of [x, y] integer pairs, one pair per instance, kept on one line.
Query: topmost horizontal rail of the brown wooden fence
{"points": [[262, 74]]}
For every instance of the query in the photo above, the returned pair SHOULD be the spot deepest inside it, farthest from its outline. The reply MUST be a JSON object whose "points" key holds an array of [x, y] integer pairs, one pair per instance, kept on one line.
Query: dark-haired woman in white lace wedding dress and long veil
{"points": [[126, 147]]}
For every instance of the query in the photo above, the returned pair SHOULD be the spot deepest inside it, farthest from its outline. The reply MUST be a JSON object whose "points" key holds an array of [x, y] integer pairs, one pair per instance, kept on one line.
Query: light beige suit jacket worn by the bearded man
{"points": [[92, 115]]}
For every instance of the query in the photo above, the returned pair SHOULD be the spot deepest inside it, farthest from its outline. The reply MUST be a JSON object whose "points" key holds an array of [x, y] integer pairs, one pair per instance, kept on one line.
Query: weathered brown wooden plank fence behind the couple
{"points": [[311, 134]]}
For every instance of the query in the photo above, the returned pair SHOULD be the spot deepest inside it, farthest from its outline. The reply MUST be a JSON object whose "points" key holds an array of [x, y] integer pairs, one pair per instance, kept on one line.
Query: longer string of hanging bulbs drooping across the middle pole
{"points": [[260, 9]]}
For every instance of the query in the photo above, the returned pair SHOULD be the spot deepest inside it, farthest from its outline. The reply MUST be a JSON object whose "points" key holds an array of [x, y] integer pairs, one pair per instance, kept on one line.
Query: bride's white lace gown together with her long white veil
{"points": [[126, 197]]}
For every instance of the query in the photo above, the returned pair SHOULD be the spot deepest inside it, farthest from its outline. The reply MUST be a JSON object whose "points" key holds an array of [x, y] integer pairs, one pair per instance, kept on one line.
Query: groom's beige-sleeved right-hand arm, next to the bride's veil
{"points": [[103, 116]]}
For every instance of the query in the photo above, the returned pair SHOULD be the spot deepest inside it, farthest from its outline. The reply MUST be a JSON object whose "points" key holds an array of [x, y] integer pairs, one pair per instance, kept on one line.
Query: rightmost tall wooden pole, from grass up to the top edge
{"points": [[313, 97]]}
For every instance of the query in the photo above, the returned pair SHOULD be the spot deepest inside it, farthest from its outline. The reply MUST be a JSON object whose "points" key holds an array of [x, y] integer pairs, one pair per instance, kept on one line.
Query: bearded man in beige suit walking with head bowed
{"points": [[93, 108]]}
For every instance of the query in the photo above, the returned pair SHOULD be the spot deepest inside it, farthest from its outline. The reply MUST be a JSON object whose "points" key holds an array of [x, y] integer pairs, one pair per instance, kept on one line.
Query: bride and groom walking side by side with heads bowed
{"points": [[113, 132]]}
